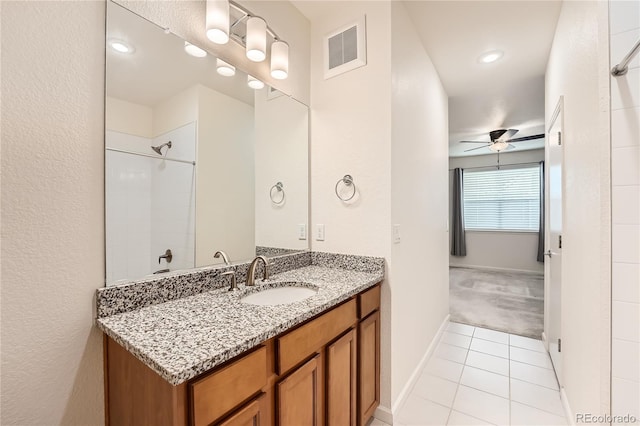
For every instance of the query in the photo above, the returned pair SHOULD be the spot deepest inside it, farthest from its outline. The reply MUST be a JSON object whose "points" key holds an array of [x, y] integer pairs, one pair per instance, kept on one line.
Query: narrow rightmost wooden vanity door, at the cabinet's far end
{"points": [[368, 367]]}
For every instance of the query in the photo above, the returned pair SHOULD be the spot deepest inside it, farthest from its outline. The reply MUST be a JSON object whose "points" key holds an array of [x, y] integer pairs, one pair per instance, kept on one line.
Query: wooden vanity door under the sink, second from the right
{"points": [[341, 380]]}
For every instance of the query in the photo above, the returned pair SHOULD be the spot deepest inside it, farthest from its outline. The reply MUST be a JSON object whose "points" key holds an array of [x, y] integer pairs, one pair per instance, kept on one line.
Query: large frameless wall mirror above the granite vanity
{"points": [[196, 162]]}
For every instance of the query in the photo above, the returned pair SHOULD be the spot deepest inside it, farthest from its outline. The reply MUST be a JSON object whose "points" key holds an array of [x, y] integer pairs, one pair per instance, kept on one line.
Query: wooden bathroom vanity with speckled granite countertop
{"points": [[210, 358]]}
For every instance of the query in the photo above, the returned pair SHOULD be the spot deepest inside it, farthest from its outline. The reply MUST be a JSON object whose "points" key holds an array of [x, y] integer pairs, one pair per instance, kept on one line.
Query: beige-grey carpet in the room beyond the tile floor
{"points": [[504, 301]]}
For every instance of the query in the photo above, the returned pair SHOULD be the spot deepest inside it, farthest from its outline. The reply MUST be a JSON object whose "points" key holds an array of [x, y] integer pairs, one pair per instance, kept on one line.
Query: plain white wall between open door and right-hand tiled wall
{"points": [[578, 70]]}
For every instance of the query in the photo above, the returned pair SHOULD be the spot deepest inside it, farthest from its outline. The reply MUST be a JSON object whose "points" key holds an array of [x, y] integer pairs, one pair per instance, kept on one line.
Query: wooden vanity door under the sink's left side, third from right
{"points": [[298, 396]]}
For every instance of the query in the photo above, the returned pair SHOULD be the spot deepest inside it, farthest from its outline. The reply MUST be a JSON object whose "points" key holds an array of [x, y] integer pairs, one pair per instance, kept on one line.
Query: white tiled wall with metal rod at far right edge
{"points": [[625, 164]]}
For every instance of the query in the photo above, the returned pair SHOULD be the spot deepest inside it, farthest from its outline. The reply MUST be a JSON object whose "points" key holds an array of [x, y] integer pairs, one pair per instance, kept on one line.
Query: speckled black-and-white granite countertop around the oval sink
{"points": [[183, 338]]}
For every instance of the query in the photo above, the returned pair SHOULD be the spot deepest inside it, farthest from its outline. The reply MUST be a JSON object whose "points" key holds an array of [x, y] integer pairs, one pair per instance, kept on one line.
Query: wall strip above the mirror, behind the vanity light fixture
{"points": [[187, 20]]}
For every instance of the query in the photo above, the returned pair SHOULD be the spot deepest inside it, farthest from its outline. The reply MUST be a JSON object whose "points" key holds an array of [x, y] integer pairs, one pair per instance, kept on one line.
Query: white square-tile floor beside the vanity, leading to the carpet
{"points": [[484, 377]]}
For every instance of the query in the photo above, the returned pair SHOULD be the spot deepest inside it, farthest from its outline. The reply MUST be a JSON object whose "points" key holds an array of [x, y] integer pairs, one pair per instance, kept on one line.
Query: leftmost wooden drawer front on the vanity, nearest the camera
{"points": [[219, 392]]}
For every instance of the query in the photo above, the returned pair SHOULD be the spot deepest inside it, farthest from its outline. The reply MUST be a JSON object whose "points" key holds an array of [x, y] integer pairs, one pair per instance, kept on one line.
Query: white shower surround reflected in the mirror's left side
{"points": [[150, 203]]}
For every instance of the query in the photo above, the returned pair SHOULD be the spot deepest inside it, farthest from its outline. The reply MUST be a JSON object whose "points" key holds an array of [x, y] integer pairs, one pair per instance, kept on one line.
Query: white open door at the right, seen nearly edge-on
{"points": [[553, 269]]}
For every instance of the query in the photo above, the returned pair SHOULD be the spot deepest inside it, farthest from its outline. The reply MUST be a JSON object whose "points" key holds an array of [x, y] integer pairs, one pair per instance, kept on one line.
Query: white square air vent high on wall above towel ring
{"points": [[345, 49]]}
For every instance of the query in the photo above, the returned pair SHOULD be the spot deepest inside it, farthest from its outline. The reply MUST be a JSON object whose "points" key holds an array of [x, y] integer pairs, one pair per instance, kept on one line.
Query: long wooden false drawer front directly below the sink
{"points": [[295, 346]]}
